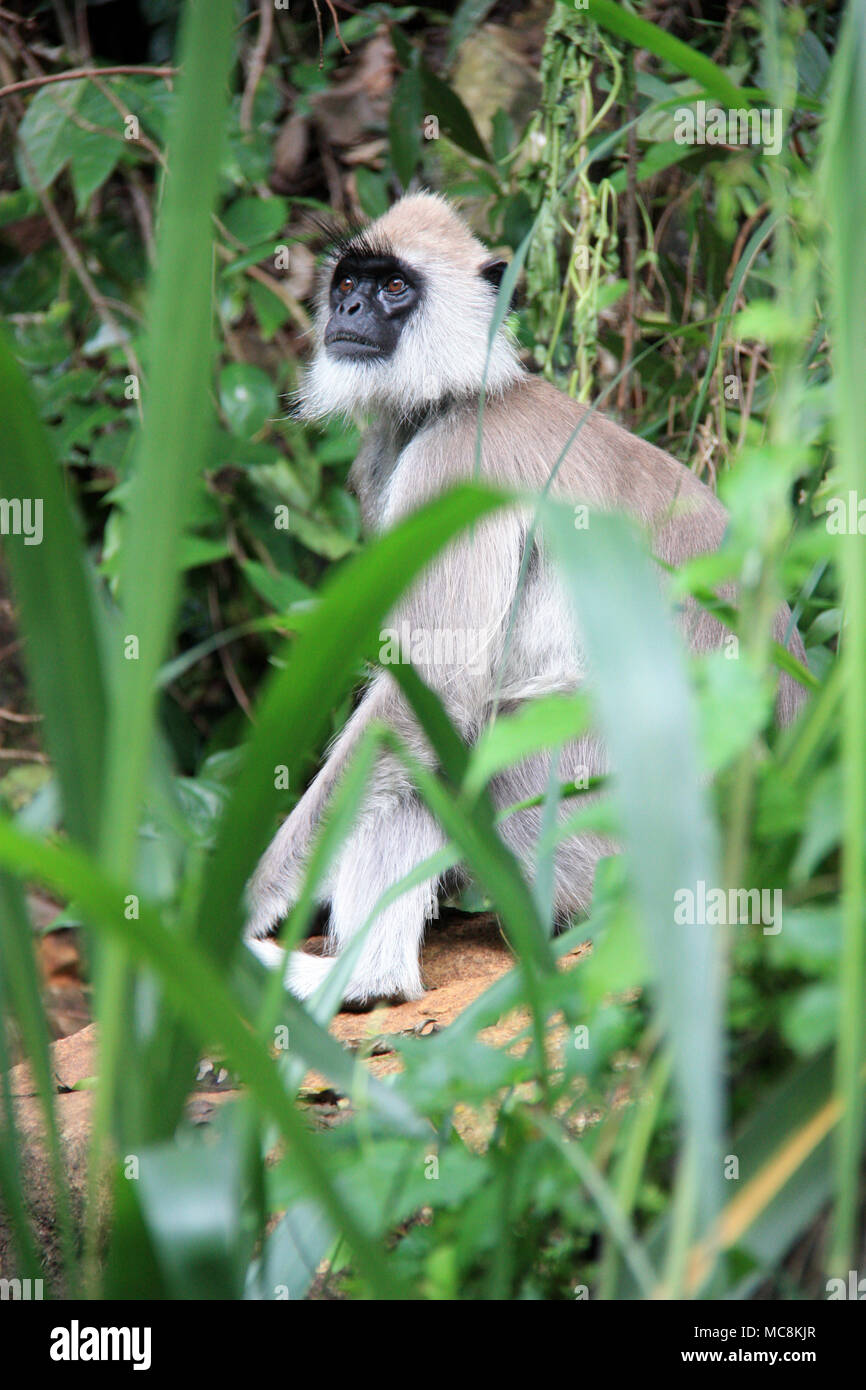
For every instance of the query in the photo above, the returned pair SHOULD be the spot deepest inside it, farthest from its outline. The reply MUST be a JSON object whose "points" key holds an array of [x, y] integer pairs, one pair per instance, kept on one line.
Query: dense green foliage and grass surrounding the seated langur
{"points": [[686, 1104]]}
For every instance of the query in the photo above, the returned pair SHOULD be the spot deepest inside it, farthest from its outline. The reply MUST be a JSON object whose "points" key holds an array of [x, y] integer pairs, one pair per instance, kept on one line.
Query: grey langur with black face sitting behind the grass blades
{"points": [[402, 340]]}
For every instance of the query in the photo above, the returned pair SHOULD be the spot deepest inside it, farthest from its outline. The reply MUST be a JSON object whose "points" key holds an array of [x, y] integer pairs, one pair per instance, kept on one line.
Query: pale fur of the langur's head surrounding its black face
{"points": [[446, 350]]}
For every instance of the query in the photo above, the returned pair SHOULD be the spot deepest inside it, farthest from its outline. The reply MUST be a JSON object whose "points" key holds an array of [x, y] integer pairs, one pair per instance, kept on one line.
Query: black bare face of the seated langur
{"points": [[372, 298]]}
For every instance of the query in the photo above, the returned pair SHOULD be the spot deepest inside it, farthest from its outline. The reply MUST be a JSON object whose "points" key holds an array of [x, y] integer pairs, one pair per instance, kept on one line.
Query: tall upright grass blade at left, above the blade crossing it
{"points": [[179, 414]]}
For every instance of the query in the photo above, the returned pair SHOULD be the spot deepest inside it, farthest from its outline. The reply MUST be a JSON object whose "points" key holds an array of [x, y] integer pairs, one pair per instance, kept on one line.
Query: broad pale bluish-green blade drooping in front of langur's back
{"points": [[648, 723]]}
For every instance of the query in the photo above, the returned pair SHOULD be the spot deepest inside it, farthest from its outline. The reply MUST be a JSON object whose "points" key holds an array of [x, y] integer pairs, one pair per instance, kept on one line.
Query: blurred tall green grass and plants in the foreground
{"points": [[173, 982]]}
